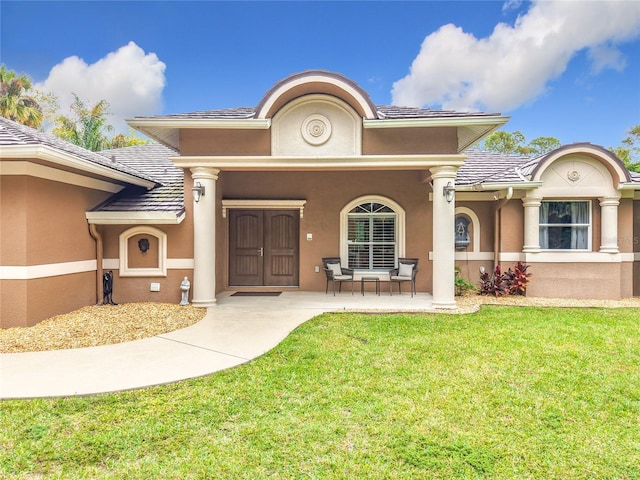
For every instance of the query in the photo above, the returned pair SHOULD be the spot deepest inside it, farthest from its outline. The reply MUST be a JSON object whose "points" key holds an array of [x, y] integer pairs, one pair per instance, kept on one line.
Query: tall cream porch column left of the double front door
{"points": [[204, 238]]}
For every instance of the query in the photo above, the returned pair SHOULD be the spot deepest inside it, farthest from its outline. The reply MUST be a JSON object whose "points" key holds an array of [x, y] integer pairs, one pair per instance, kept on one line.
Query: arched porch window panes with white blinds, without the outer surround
{"points": [[372, 237]]}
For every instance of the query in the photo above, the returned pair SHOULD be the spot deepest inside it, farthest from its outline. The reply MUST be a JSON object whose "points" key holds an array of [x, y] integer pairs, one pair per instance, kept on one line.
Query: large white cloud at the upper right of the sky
{"points": [[512, 66]]}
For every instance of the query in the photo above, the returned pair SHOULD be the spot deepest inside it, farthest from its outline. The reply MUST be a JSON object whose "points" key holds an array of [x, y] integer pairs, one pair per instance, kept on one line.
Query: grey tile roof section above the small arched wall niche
{"points": [[153, 159]]}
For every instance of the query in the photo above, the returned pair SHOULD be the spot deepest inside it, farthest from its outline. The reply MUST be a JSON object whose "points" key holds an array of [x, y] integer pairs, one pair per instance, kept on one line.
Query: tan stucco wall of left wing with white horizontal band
{"points": [[43, 224]]}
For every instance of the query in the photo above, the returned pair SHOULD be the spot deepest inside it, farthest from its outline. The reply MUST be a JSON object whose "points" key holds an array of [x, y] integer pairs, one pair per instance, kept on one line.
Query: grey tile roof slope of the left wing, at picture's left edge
{"points": [[13, 133]]}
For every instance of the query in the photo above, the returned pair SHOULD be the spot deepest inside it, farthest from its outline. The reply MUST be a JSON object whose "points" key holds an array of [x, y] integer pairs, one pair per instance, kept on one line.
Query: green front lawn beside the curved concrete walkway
{"points": [[509, 392]]}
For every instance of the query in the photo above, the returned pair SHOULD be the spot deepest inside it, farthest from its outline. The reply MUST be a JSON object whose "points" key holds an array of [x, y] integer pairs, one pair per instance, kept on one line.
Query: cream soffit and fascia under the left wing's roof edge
{"points": [[67, 162]]}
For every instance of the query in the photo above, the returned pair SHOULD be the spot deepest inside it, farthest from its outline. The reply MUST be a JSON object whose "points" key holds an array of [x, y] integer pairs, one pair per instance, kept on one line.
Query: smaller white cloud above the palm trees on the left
{"points": [[129, 79]]}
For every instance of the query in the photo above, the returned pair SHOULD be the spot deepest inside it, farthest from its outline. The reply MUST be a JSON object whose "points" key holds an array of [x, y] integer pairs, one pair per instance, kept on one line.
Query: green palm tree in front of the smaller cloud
{"points": [[87, 126]]}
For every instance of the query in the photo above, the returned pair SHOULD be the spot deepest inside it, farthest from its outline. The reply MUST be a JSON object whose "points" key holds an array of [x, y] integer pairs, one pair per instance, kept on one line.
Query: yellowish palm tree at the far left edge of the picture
{"points": [[15, 102]]}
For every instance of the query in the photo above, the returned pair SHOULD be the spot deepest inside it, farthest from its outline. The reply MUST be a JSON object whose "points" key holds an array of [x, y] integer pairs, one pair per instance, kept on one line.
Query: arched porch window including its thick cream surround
{"points": [[372, 234]]}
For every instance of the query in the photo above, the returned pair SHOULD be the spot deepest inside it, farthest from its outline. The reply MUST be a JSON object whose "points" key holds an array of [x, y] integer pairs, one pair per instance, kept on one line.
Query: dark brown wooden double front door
{"points": [[263, 247]]}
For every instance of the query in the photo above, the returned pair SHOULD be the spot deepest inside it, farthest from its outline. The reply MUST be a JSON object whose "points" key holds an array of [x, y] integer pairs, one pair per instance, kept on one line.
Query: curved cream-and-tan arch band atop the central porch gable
{"points": [[316, 82]]}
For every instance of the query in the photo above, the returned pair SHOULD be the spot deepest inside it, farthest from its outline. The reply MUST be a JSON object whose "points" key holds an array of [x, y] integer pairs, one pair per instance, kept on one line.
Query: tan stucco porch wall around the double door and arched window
{"points": [[326, 194]]}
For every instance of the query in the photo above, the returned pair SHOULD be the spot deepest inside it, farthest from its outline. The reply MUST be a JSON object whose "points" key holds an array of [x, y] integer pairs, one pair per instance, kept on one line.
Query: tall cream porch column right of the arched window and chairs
{"points": [[444, 260]]}
